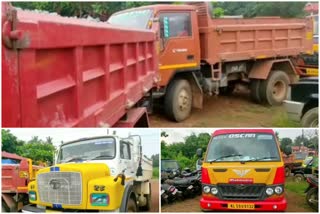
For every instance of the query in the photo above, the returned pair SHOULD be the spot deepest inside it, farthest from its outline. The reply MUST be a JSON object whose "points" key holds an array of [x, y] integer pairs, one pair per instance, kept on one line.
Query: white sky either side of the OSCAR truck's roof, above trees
{"points": [[178, 134]]}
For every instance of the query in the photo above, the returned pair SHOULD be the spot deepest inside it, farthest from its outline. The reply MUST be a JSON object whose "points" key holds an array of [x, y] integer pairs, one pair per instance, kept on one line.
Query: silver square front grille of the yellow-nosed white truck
{"points": [[60, 188]]}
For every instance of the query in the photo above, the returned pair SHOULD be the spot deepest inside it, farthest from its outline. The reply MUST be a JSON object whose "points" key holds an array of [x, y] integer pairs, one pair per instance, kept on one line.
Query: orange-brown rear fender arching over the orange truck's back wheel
{"points": [[262, 68]]}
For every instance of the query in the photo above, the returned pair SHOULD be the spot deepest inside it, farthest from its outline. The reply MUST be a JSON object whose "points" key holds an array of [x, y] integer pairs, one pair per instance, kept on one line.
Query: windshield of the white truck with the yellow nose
{"points": [[93, 149]]}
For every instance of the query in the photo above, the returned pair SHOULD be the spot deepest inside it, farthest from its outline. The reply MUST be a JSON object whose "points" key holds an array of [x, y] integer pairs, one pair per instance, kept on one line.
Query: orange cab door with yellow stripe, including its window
{"points": [[179, 41]]}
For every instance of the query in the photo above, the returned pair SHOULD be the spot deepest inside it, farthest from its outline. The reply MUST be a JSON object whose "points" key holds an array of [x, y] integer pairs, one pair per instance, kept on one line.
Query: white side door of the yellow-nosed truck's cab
{"points": [[126, 159]]}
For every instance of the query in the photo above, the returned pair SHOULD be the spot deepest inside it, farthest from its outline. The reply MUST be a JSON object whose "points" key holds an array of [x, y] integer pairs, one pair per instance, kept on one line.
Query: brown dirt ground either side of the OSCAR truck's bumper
{"points": [[296, 203]]}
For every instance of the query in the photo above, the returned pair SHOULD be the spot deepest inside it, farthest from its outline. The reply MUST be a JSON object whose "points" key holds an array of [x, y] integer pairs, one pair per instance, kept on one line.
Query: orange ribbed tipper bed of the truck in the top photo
{"points": [[236, 39]]}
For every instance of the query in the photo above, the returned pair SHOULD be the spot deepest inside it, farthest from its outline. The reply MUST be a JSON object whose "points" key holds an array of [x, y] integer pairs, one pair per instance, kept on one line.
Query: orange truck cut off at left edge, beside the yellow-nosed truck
{"points": [[17, 172]]}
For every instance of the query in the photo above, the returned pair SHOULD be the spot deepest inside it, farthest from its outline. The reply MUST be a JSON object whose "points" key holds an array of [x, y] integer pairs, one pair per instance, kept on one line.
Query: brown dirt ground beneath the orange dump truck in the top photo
{"points": [[236, 110]]}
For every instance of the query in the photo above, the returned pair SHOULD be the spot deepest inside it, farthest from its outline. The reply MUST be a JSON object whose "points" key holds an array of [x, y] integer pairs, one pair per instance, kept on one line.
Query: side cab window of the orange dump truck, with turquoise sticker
{"points": [[175, 25]]}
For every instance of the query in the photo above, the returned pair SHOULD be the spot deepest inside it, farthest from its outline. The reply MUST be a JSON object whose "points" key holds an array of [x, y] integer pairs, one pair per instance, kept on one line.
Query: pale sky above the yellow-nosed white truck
{"points": [[149, 137]]}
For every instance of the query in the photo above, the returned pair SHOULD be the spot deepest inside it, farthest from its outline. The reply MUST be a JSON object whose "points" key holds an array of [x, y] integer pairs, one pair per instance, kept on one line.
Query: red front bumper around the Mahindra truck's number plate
{"points": [[222, 205]]}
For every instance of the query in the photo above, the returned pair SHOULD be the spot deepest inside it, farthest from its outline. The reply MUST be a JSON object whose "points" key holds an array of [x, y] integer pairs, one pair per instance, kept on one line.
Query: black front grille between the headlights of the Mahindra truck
{"points": [[241, 191]]}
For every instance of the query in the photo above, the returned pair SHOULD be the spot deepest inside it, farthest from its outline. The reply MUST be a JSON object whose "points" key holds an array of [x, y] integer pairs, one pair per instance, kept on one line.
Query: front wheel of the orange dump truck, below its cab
{"points": [[178, 100]]}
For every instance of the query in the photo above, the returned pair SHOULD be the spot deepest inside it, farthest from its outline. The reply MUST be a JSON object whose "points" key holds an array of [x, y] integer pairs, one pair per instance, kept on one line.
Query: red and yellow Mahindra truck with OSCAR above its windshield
{"points": [[243, 170]]}
